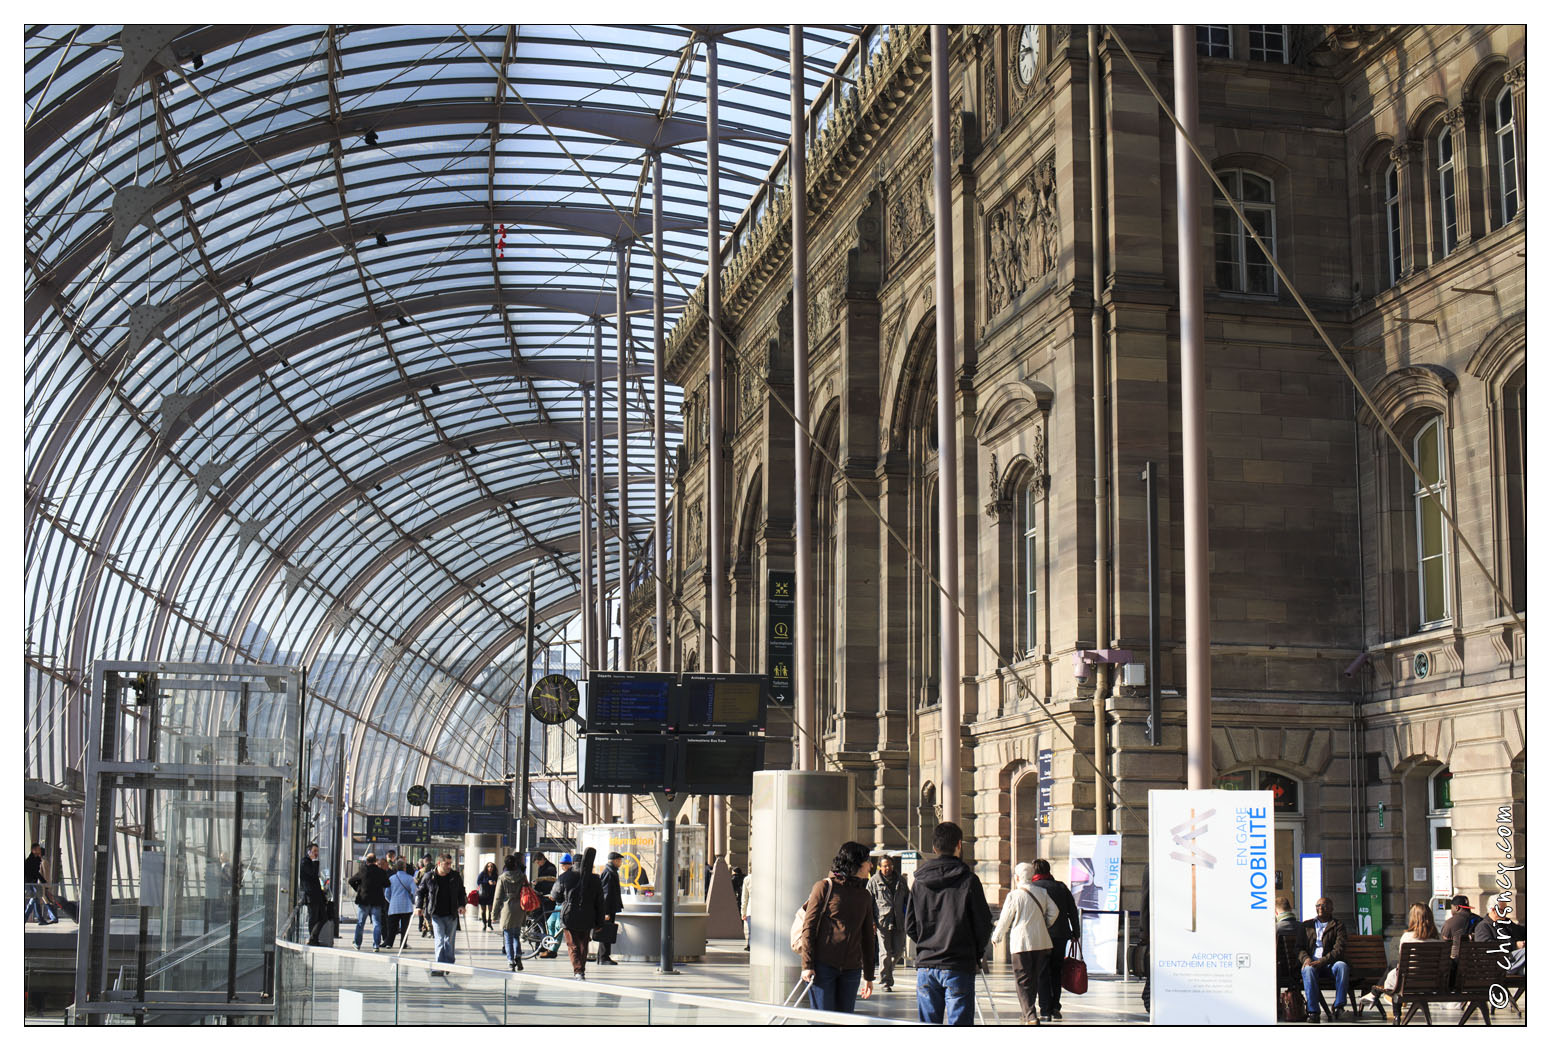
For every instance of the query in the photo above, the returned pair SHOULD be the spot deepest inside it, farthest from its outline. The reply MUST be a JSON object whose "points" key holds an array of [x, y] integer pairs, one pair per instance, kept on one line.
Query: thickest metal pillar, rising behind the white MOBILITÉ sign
{"points": [[1193, 421]]}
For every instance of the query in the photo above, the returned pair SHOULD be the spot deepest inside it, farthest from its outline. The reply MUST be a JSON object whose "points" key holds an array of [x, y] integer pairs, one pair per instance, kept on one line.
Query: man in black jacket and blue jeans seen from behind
{"points": [[952, 928]]}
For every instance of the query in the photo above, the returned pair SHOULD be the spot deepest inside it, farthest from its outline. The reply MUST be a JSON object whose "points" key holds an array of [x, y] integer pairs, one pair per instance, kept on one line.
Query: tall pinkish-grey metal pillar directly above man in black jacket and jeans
{"points": [[947, 443]]}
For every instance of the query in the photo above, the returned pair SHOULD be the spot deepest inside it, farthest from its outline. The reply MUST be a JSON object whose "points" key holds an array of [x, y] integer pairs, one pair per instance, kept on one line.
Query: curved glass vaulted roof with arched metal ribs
{"points": [[308, 317]]}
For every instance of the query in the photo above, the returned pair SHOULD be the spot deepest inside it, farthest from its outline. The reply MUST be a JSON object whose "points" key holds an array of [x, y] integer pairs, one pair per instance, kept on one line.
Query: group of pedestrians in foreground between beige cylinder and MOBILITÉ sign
{"points": [[855, 926]]}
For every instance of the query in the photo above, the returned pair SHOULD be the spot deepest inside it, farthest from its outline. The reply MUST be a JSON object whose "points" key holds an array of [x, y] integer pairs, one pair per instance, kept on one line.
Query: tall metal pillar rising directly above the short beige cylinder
{"points": [[806, 632]]}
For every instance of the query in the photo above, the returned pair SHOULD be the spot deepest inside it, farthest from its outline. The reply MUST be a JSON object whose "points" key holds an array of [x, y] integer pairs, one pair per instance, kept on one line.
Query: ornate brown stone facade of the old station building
{"points": [[1314, 525]]}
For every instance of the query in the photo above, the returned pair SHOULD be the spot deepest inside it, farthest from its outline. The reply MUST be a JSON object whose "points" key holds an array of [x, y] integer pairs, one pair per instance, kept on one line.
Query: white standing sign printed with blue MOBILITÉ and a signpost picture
{"points": [[1212, 943]]}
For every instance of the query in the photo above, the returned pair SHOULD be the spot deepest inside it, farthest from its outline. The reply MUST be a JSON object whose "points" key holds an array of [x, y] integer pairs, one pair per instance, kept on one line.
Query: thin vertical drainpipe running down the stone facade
{"points": [[1102, 672]]}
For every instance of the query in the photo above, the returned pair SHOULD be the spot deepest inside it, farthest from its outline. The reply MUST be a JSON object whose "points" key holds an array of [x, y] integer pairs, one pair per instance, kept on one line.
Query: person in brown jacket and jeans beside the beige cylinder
{"points": [[840, 939]]}
